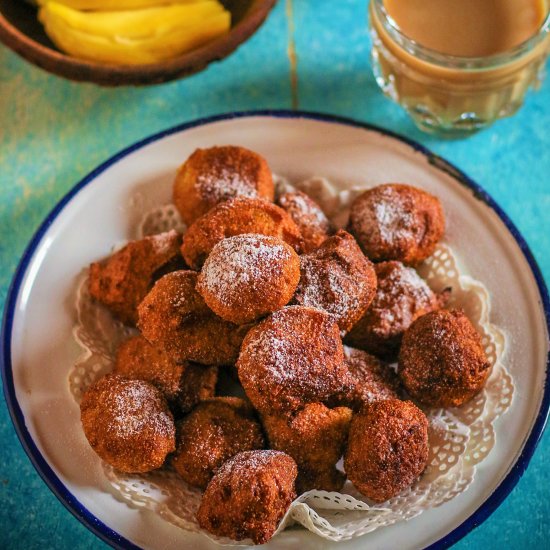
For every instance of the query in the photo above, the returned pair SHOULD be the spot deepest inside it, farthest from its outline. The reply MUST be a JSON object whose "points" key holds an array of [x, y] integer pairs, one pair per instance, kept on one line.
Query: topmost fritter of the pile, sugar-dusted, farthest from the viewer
{"points": [[210, 176]]}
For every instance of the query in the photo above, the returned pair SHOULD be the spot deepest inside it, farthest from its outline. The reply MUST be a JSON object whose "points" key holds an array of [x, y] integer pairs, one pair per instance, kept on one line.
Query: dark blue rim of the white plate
{"points": [[118, 541]]}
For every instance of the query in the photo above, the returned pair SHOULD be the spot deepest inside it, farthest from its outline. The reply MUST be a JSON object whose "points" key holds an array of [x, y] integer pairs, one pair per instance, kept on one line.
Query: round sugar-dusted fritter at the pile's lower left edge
{"points": [[128, 423]]}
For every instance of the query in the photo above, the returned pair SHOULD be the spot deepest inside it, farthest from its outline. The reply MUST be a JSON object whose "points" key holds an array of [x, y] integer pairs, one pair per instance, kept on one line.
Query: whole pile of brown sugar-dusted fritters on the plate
{"points": [[271, 290]]}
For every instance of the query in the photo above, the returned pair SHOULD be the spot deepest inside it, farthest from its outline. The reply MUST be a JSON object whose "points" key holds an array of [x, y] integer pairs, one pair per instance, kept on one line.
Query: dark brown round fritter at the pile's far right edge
{"points": [[442, 362]]}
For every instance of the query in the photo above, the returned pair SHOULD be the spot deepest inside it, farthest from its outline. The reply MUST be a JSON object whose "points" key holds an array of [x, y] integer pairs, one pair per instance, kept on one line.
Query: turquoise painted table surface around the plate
{"points": [[53, 132]]}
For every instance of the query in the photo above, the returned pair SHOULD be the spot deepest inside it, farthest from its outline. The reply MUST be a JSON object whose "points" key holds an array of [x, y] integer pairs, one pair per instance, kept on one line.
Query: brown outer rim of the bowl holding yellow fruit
{"points": [[72, 68]]}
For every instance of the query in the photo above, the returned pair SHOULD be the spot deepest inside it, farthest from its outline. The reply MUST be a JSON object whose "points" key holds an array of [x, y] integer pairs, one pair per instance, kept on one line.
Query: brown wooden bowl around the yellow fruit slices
{"points": [[21, 31]]}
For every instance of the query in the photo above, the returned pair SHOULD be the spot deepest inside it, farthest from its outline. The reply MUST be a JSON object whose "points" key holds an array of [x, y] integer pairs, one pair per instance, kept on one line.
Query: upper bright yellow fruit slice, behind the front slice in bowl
{"points": [[142, 23]]}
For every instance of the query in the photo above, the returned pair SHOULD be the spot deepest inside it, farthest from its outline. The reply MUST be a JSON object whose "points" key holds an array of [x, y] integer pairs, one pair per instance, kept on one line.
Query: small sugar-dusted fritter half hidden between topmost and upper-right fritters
{"points": [[308, 216]]}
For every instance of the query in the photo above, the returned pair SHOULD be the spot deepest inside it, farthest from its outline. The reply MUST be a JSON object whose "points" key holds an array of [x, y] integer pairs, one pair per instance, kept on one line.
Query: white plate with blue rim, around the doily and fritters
{"points": [[38, 349]]}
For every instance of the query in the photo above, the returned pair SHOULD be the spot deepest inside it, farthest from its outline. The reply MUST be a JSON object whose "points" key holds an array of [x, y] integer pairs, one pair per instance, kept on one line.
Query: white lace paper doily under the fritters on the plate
{"points": [[459, 438]]}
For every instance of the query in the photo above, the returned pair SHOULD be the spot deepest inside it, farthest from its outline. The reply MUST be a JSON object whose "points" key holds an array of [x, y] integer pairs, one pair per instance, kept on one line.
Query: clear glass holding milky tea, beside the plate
{"points": [[449, 94]]}
